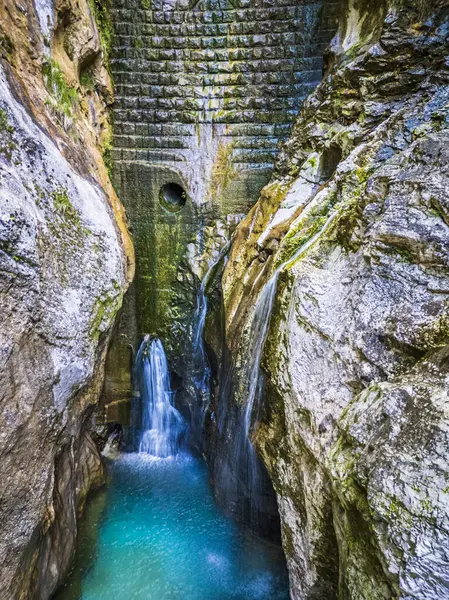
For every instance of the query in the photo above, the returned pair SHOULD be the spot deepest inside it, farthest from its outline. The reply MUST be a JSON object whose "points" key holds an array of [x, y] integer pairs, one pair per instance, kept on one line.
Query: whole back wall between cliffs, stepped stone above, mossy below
{"points": [[205, 91]]}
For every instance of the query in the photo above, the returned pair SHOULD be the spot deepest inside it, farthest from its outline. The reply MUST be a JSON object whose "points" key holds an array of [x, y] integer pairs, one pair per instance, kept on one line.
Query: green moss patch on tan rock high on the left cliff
{"points": [[64, 99]]}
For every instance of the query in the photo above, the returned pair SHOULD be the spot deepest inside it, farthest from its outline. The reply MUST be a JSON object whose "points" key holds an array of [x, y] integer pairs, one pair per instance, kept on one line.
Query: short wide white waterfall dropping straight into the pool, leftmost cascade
{"points": [[161, 425]]}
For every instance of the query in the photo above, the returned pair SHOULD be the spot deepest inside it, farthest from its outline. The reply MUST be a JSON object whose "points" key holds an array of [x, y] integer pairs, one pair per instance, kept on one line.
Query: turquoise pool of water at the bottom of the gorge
{"points": [[156, 534]]}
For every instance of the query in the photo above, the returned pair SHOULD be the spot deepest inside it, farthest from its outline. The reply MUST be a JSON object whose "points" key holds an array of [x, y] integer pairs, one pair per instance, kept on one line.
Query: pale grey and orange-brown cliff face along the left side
{"points": [[65, 262]]}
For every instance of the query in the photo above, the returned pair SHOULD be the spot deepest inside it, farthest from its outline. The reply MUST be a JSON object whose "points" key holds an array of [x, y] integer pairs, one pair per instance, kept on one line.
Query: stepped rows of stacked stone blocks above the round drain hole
{"points": [[246, 65]]}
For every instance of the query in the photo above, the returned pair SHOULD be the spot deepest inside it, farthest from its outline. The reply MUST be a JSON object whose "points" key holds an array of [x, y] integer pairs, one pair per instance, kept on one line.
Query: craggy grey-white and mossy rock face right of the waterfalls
{"points": [[354, 424]]}
